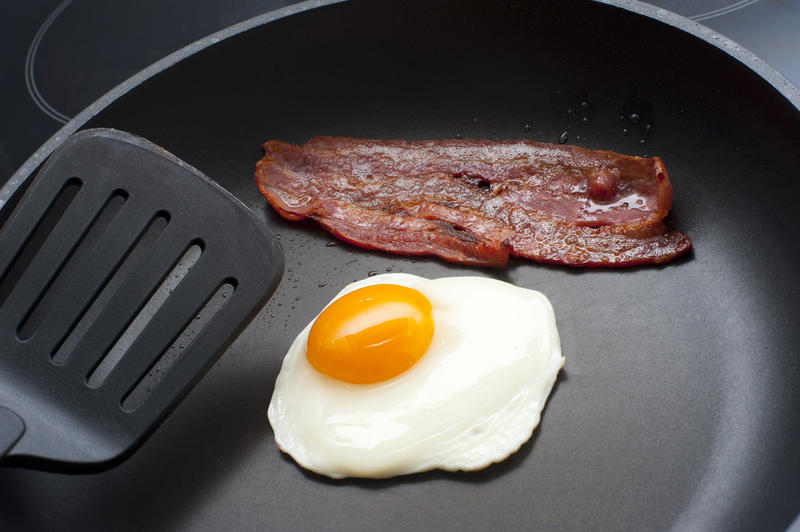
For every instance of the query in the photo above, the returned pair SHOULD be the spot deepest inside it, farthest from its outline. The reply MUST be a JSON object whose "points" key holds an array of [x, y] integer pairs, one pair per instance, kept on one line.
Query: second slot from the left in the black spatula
{"points": [[72, 263]]}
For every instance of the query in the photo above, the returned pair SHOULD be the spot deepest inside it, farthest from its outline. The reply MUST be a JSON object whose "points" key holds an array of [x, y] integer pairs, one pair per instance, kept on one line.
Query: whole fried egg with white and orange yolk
{"points": [[400, 374]]}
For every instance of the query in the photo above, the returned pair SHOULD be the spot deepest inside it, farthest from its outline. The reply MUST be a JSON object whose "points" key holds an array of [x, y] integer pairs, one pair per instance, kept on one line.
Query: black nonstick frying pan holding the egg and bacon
{"points": [[678, 404]]}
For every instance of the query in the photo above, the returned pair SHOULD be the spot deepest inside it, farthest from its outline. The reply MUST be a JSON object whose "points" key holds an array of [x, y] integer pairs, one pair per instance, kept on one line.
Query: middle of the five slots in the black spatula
{"points": [[133, 256]]}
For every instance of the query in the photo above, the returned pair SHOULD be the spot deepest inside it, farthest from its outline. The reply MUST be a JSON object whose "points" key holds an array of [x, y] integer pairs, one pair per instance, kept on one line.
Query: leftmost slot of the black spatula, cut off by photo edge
{"points": [[33, 243]]}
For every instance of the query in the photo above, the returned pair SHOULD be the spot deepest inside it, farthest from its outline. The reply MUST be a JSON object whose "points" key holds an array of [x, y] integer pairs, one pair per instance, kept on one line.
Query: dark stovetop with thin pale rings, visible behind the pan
{"points": [[61, 55]]}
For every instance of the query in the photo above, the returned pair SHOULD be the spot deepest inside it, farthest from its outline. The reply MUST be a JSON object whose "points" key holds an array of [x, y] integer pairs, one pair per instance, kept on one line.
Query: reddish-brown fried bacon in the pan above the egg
{"points": [[477, 202]]}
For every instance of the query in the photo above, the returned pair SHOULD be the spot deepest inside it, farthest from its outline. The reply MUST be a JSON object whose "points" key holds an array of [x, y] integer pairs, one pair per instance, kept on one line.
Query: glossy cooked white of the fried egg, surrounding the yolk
{"points": [[473, 398]]}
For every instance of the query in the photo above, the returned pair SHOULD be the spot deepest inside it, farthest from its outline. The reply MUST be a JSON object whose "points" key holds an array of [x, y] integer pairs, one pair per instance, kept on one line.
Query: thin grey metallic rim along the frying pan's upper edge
{"points": [[741, 54]]}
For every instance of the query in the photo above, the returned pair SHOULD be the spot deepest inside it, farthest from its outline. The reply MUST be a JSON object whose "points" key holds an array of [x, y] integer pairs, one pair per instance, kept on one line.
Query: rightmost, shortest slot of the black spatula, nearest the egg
{"points": [[159, 370]]}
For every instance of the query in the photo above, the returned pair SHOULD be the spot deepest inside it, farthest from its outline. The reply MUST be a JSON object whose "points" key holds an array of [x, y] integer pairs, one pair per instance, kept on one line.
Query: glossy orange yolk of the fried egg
{"points": [[371, 334]]}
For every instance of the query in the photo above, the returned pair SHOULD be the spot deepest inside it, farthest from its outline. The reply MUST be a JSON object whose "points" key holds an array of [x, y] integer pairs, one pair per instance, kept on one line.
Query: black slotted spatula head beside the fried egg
{"points": [[124, 274]]}
